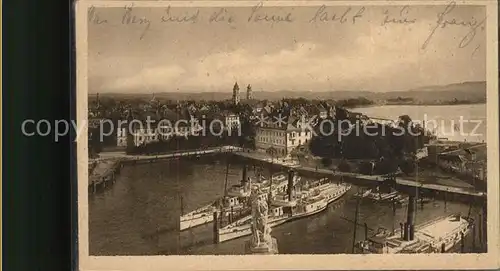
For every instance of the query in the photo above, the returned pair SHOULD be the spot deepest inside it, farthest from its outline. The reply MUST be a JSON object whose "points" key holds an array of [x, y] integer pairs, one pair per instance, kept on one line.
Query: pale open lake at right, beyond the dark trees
{"points": [[455, 122]]}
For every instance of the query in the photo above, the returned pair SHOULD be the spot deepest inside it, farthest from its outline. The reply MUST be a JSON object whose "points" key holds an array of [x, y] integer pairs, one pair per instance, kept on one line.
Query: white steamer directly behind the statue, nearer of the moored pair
{"points": [[305, 202]]}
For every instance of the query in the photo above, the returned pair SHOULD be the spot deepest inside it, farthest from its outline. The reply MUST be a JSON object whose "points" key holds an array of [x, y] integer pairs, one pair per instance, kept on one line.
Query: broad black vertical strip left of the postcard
{"points": [[36, 203]]}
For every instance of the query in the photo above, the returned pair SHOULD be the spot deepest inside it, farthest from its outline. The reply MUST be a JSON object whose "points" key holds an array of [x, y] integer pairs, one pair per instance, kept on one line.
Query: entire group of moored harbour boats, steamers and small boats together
{"points": [[291, 198]]}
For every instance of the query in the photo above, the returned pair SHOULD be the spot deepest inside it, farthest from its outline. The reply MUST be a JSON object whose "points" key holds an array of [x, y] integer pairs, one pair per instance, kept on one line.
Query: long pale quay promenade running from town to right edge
{"points": [[372, 178]]}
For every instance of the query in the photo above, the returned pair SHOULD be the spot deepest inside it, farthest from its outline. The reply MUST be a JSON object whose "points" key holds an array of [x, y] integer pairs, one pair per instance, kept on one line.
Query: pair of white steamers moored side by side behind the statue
{"points": [[288, 198]]}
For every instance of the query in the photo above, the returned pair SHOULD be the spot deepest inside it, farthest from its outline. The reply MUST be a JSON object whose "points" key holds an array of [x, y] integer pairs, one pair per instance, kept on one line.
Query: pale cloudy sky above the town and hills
{"points": [[303, 55]]}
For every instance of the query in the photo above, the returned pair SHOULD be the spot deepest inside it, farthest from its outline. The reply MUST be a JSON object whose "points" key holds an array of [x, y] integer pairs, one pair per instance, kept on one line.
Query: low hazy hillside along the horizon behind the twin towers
{"points": [[472, 91]]}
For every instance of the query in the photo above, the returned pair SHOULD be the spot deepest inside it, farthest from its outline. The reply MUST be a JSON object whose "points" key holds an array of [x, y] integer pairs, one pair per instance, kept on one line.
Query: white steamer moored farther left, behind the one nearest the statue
{"points": [[235, 200]]}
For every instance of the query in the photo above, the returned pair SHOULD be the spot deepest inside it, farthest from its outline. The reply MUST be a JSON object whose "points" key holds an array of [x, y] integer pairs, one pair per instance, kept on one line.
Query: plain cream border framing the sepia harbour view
{"points": [[295, 262]]}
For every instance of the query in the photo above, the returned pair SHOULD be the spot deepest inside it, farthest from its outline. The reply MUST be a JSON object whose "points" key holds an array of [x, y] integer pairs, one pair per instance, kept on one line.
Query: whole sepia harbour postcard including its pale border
{"points": [[221, 135]]}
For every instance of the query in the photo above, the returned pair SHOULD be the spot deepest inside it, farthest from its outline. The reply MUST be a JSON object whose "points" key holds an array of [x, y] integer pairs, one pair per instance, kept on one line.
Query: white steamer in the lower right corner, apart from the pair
{"points": [[437, 236]]}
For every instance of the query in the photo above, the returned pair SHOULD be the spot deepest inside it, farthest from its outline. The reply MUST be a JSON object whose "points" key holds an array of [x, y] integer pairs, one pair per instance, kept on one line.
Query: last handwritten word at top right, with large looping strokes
{"points": [[443, 22]]}
